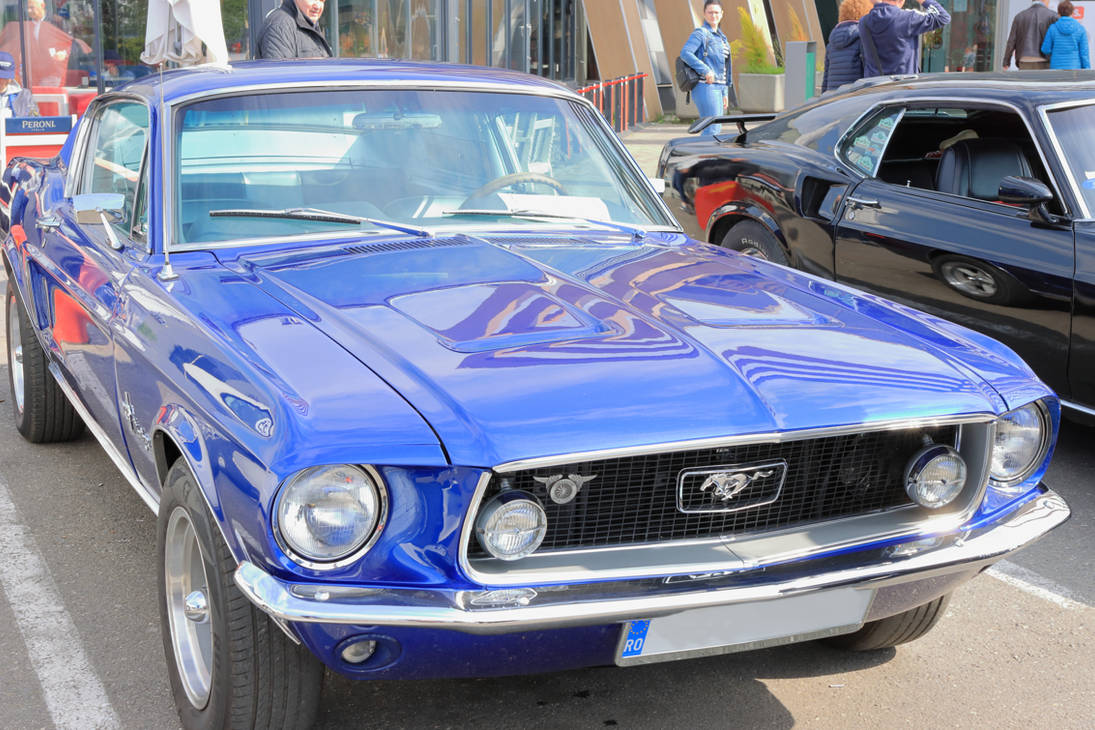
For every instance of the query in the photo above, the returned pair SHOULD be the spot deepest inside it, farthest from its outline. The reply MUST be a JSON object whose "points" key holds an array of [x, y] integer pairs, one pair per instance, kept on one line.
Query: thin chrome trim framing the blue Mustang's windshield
{"points": [[172, 108]]}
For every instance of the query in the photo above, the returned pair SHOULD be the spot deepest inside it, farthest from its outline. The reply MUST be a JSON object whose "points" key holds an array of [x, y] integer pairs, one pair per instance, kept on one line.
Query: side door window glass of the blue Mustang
{"points": [[116, 154]]}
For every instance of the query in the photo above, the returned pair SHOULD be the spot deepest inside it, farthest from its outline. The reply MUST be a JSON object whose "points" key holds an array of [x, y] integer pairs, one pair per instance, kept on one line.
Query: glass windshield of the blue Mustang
{"points": [[422, 160]]}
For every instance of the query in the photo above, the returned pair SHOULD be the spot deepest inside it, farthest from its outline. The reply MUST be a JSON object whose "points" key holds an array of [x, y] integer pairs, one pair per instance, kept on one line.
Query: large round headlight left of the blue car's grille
{"points": [[329, 513]]}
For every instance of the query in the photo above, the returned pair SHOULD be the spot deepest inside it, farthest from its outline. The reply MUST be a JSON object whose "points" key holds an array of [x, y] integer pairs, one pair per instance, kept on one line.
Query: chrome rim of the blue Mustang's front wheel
{"points": [[189, 617]]}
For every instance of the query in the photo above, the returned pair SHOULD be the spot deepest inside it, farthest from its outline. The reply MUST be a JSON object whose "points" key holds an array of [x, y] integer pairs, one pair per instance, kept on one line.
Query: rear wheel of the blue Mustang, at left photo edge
{"points": [[43, 413]]}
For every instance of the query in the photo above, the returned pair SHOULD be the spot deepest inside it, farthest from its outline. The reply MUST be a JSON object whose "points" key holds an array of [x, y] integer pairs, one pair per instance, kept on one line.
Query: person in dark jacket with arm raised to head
{"points": [[891, 36]]}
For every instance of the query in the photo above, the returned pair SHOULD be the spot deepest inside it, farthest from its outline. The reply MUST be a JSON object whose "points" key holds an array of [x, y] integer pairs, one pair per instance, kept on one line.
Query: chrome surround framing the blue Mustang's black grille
{"points": [[728, 554]]}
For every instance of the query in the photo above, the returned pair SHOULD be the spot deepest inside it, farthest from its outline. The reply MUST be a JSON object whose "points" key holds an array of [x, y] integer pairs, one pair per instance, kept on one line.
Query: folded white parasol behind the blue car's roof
{"points": [[179, 29]]}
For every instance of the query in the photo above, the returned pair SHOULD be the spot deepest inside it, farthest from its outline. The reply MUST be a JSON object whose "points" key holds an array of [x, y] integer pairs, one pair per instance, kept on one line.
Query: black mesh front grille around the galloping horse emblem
{"points": [[635, 501]]}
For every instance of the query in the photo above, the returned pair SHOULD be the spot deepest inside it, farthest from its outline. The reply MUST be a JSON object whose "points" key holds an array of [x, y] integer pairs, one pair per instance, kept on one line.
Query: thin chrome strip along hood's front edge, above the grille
{"points": [[771, 437]]}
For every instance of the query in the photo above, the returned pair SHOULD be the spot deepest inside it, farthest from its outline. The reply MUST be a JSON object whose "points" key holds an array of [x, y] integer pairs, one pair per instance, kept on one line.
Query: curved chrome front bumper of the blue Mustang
{"points": [[512, 610]]}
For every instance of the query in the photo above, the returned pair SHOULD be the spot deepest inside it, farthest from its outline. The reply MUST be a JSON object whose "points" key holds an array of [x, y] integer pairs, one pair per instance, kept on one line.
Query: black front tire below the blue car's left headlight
{"points": [[258, 678]]}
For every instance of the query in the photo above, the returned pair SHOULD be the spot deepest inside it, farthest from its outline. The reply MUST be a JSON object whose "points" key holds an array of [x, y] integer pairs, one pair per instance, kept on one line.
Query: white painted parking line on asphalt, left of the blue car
{"points": [[74, 694]]}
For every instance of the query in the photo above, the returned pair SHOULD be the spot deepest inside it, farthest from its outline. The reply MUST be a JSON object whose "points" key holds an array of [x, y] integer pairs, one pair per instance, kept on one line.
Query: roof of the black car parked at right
{"points": [[1027, 89]]}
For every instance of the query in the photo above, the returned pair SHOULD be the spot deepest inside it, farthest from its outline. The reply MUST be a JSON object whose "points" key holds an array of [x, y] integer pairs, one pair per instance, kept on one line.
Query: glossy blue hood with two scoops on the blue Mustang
{"points": [[517, 347]]}
